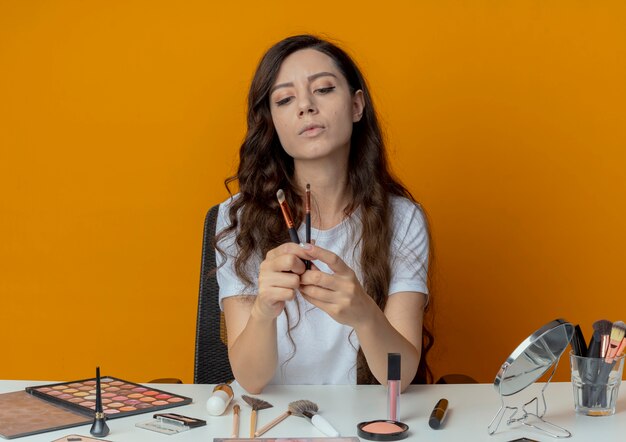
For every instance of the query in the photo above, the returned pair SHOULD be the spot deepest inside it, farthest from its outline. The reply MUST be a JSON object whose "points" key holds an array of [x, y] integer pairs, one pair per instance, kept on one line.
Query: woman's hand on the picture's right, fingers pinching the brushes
{"points": [[341, 295]]}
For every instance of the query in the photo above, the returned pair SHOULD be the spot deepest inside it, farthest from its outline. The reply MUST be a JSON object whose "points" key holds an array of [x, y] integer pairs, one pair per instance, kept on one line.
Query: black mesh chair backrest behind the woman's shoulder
{"points": [[211, 360]]}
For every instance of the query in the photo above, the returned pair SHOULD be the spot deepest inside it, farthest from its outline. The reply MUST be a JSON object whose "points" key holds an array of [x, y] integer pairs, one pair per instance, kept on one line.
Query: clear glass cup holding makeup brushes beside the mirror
{"points": [[596, 382]]}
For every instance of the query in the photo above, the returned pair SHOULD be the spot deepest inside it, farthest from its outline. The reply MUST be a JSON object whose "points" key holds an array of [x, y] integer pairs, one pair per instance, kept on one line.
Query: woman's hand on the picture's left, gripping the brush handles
{"points": [[279, 278]]}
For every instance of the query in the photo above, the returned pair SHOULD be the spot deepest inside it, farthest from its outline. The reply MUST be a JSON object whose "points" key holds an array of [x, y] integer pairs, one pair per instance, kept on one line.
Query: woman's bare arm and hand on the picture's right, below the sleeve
{"points": [[397, 330]]}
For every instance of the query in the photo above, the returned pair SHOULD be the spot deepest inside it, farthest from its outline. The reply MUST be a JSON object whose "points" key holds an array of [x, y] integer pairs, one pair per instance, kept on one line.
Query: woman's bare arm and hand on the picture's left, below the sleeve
{"points": [[251, 320]]}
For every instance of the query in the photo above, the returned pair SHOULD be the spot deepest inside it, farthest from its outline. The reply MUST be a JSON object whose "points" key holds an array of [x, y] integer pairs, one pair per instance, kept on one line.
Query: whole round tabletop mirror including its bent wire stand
{"points": [[528, 362]]}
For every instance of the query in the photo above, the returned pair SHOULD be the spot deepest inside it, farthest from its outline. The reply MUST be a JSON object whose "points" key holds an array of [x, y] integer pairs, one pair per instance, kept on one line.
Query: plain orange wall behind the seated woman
{"points": [[119, 121]]}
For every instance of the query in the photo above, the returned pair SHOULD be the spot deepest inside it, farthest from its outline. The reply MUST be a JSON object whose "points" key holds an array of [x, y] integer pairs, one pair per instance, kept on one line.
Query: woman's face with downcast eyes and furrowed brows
{"points": [[312, 107]]}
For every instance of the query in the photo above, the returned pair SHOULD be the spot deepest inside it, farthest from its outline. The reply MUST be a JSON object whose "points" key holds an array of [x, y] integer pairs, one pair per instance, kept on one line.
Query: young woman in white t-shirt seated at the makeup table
{"points": [[311, 120]]}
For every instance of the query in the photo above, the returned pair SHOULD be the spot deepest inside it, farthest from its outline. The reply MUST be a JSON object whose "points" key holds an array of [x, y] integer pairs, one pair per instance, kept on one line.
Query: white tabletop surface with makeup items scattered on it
{"points": [[472, 408]]}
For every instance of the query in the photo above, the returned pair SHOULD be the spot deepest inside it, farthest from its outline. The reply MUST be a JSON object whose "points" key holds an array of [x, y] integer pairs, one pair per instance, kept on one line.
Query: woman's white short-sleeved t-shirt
{"points": [[325, 351]]}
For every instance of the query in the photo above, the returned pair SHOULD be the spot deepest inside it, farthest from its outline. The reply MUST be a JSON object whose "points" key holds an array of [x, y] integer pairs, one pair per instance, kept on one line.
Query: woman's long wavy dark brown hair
{"points": [[265, 167]]}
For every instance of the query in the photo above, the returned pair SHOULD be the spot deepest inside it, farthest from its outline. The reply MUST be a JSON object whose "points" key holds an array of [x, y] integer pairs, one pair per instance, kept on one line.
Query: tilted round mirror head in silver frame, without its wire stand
{"points": [[533, 357]]}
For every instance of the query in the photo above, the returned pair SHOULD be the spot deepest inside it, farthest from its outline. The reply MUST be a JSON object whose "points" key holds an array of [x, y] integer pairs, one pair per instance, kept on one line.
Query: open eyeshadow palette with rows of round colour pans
{"points": [[119, 398]]}
